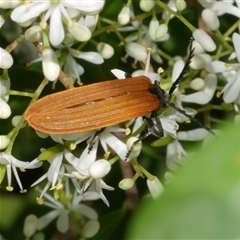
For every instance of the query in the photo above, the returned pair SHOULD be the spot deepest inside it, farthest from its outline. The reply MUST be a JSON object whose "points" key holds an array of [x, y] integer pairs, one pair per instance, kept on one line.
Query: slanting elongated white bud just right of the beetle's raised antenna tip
{"points": [[204, 39]]}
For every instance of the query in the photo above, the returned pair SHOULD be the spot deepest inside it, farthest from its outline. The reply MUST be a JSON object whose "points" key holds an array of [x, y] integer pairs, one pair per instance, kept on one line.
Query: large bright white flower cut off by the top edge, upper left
{"points": [[54, 12]]}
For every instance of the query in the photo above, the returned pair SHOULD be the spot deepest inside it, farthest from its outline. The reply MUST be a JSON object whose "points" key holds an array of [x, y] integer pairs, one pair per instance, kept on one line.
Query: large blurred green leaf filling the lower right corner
{"points": [[203, 200]]}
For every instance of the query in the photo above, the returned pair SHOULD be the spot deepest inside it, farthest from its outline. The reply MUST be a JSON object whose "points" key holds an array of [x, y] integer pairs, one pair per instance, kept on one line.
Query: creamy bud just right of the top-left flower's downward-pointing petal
{"points": [[80, 32]]}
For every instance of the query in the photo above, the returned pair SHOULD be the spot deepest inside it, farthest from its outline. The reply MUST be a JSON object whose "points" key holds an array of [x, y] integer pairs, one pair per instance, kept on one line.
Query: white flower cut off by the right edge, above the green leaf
{"points": [[232, 88]]}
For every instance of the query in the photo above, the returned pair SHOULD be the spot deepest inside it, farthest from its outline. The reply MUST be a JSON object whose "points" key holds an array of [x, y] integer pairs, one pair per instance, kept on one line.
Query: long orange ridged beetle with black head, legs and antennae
{"points": [[99, 105]]}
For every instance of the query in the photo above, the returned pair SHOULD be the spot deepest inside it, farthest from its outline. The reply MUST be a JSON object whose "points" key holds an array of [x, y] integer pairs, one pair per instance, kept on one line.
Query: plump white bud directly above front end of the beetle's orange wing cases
{"points": [[136, 51]]}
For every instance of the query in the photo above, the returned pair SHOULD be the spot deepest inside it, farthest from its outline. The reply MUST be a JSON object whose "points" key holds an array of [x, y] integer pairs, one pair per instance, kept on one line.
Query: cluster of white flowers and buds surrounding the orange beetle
{"points": [[70, 39]]}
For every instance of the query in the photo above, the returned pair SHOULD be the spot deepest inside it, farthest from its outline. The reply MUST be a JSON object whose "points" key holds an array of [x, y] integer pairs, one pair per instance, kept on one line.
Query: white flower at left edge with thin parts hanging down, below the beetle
{"points": [[11, 164]]}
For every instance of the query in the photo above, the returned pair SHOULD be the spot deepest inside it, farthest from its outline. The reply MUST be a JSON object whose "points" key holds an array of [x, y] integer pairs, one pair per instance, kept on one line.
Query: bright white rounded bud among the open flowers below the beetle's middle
{"points": [[99, 169]]}
